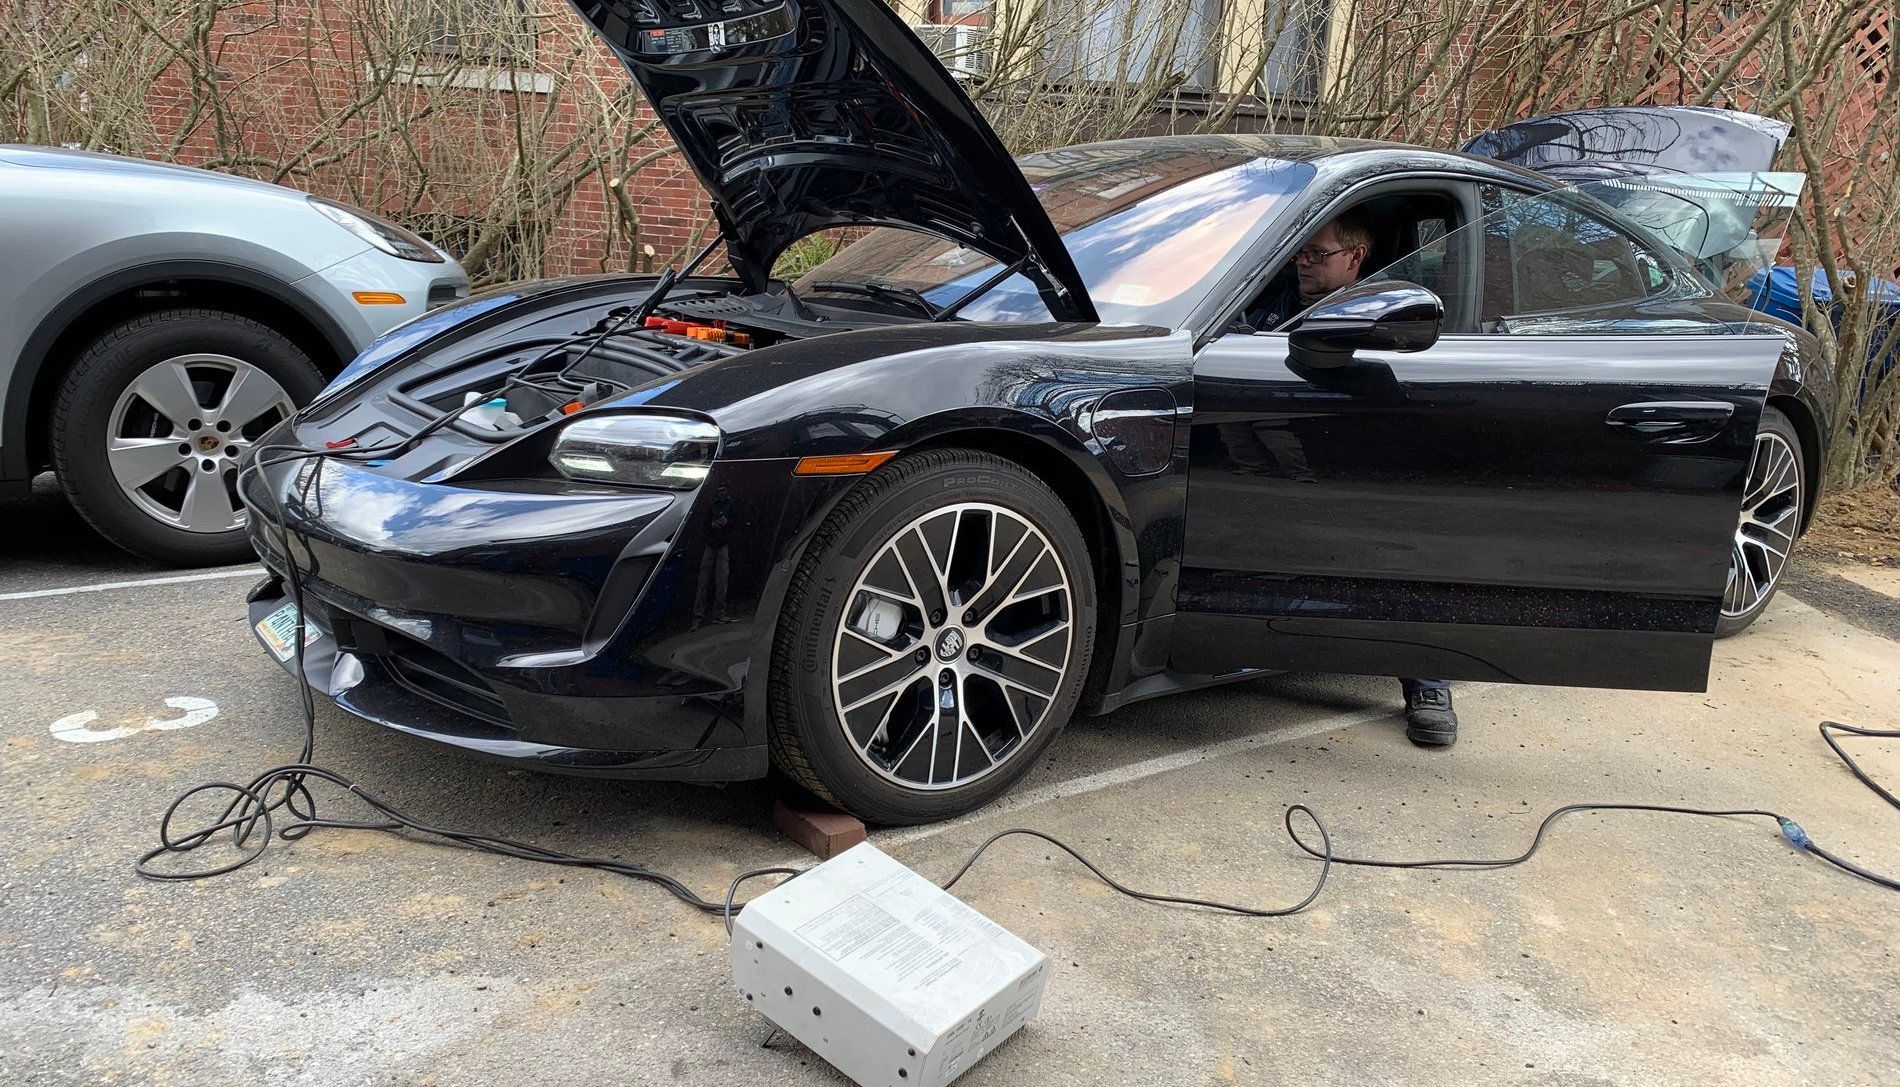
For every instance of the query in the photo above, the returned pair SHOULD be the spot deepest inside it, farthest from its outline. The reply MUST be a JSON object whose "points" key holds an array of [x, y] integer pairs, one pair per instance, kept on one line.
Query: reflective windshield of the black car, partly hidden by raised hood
{"points": [[1147, 227]]}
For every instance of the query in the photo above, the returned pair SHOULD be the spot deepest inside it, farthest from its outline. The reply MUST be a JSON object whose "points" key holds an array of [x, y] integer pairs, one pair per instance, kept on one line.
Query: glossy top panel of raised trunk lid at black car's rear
{"points": [[1620, 142]]}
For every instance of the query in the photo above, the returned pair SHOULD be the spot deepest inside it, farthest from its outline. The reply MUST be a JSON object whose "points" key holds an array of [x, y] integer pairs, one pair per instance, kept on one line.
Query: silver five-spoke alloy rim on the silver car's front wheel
{"points": [[181, 429]]}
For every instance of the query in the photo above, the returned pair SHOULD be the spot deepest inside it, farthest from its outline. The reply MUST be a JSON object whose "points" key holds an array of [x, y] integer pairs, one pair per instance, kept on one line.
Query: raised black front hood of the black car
{"points": [[801, 115]]}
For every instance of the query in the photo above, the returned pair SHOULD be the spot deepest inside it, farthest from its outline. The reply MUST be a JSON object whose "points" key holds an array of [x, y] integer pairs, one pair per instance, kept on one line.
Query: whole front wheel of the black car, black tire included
{"points": [[879, 744]]}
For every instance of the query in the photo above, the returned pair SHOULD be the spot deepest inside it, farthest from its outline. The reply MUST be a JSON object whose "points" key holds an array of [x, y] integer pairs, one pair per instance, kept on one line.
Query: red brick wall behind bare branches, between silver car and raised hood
{"points": [[292, 71]]}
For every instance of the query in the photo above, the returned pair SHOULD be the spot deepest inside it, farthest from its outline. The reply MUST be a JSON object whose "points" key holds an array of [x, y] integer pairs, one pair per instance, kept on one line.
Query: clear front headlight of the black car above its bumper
{"points": [[641, 449]]}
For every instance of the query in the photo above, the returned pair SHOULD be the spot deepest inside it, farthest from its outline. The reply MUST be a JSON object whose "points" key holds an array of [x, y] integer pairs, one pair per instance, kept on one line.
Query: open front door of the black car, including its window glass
{"points": [[1544, 497]]}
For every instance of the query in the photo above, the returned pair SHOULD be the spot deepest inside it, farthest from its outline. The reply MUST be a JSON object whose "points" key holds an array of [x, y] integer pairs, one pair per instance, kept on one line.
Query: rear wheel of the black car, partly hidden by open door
{"points": [[1774, 501]]}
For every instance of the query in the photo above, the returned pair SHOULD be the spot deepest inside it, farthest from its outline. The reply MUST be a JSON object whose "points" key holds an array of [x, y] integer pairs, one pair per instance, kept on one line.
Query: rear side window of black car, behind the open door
{"points": [[1551, 257]]}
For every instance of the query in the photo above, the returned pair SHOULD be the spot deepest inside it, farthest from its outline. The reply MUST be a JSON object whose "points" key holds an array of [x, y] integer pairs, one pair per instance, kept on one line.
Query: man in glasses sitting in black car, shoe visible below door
{"points": [[1333, 259]]}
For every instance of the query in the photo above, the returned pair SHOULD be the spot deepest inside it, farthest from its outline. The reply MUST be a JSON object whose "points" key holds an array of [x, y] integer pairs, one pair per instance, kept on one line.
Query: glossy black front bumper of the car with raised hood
{"points": [[523, 626]]}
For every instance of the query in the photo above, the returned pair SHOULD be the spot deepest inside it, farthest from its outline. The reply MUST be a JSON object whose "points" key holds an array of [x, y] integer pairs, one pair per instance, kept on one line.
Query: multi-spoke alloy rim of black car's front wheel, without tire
{"points": [[953, 647]]}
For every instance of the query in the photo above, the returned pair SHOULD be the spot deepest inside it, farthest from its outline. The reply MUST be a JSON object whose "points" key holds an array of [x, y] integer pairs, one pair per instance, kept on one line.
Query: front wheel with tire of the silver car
{"points": [[142, 440]]}
